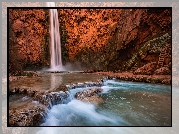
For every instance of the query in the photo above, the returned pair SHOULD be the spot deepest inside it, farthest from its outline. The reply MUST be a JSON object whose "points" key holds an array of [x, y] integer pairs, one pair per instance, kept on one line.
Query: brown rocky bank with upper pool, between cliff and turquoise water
{"points": [[37, 99]]}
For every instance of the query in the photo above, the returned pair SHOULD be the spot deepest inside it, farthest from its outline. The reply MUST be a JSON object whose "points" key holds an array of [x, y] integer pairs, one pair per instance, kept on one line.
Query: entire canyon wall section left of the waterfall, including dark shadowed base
{"points": [[28, 39]]}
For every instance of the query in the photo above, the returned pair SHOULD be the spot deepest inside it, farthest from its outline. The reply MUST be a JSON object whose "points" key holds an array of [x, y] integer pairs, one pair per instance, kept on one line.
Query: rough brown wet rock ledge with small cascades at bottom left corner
{"points": [[33, 113]]}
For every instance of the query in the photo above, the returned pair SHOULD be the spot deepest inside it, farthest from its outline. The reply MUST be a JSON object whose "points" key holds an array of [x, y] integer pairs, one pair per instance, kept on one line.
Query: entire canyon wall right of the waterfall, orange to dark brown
{"points": [[118, 39]]}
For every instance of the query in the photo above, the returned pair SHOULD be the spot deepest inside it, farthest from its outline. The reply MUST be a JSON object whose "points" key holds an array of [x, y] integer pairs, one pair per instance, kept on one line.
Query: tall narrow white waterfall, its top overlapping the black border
{"points": [[55, 49]]}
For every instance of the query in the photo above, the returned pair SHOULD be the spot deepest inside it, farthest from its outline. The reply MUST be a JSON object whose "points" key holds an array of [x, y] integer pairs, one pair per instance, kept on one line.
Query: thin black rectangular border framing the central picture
{"points": [[78, 8]]}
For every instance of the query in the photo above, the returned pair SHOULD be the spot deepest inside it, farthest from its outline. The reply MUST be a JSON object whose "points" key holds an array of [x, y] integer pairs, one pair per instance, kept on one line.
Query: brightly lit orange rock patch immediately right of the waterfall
{"points": [[88, 28]]}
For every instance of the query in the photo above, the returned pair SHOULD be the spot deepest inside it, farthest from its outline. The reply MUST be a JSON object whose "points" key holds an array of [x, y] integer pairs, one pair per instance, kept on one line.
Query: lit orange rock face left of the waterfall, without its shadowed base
{"points": [[29, 28]]}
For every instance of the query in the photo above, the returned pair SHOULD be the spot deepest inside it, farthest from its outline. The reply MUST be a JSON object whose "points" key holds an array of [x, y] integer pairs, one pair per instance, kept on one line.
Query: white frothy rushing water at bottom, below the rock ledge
{"points": [[76, 113]]}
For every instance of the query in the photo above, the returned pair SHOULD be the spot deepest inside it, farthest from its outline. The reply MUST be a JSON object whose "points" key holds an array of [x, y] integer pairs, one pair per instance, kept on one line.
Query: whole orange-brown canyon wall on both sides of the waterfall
{"points": [[99, 39]]}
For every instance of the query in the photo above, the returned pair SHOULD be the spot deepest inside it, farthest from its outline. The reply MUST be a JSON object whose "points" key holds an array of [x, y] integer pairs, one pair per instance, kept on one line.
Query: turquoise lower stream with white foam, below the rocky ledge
{"points": [[125, 104]]}
